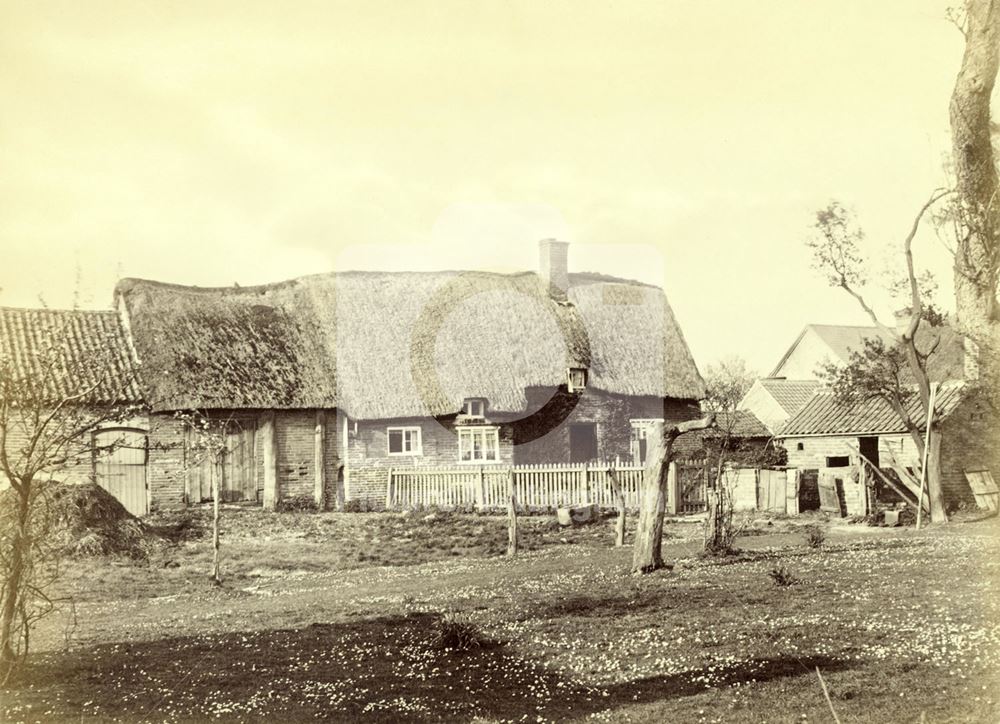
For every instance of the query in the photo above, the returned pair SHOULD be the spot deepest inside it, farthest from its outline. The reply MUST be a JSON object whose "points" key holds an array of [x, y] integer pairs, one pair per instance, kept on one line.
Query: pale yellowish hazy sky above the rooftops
{"points": [[684, 143]]}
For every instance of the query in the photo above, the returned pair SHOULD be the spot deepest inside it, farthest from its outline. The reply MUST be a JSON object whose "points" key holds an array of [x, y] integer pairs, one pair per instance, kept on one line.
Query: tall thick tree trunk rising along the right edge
{"points": [[977, 252]]}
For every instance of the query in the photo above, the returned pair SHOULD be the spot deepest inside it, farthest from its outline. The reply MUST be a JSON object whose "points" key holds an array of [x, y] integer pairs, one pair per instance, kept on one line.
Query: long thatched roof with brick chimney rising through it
{"points": [[384, 345]]}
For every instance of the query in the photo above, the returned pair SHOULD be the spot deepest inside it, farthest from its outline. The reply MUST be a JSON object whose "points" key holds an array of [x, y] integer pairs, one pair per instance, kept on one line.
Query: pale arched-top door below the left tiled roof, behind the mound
{"points": [[120, 467]]}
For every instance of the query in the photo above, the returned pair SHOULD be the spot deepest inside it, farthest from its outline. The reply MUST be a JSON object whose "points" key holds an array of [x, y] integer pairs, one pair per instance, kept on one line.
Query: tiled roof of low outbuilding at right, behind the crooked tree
{"points": [[823, 415]]}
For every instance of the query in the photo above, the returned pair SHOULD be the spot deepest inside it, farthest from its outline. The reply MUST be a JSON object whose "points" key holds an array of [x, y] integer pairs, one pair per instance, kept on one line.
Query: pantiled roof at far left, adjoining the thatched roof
{"points": [[77, 352]]}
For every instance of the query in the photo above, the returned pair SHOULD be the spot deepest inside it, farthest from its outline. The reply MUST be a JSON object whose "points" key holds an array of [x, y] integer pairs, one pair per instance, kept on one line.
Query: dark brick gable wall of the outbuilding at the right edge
{"points": [[970, 440]]}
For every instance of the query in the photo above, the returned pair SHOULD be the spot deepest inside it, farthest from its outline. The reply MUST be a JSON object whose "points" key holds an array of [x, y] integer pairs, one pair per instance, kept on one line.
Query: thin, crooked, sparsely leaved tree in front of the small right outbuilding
{"points": [[878, 371]]}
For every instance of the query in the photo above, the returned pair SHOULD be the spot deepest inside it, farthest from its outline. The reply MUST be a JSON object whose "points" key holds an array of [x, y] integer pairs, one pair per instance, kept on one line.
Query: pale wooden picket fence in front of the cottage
{"points": [[538, 487]]}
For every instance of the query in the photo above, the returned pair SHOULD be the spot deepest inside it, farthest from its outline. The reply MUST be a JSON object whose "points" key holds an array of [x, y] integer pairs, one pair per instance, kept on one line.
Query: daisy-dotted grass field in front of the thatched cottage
{"points": [[340, 616]]}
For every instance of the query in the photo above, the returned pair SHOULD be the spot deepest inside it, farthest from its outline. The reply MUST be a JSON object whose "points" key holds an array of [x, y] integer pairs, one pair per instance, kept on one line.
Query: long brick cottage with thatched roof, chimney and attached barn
{"points": [[329, 381]]}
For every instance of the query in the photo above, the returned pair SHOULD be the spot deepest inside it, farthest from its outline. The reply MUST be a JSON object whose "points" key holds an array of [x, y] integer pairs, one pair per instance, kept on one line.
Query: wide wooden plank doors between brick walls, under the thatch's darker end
{"points": [[233, 467]]}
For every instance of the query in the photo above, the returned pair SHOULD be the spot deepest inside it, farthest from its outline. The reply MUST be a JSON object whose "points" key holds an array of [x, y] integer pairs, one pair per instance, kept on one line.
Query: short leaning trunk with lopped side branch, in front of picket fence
{"points": [[647, 552]]}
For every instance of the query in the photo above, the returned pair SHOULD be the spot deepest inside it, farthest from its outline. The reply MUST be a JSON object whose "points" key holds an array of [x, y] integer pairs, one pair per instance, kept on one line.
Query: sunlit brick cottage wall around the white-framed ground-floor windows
{"points": [[369, 461]]}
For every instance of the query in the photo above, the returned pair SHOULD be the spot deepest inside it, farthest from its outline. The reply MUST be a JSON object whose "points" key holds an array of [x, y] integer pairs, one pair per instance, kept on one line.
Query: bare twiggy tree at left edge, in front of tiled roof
{"points": [[52, 401]]}
